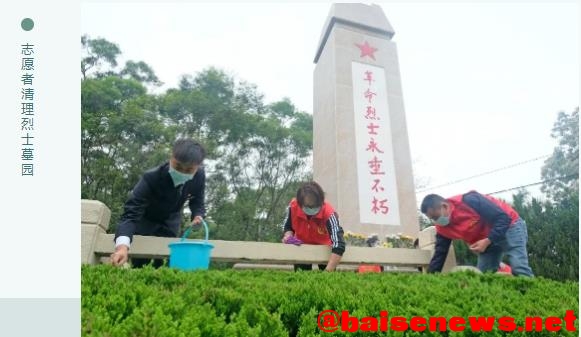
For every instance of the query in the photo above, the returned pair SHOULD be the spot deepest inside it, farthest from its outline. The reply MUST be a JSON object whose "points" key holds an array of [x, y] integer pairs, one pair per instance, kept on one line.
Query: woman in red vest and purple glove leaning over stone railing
{"points": [[313, 221]]}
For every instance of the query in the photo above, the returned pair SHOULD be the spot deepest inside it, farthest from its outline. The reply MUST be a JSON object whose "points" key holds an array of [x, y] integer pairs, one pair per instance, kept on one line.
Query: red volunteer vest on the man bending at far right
{"points": [[465, 224]]}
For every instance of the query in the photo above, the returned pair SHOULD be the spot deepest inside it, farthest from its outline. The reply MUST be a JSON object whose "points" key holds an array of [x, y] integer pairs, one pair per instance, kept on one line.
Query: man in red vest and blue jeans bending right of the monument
{"points": [[489, 226]]}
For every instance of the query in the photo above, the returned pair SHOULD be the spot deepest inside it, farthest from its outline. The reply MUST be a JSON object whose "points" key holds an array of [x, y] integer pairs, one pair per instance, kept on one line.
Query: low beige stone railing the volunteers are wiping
{"points": [[97, 245]]}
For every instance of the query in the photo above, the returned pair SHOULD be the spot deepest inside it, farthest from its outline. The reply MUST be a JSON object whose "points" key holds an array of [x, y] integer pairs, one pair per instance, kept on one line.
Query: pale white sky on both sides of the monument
{"points": [[482, 82]]}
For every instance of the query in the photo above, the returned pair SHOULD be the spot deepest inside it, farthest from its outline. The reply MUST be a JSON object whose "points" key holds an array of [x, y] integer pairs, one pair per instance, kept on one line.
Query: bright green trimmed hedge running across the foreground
{"points": [[165, 302]]}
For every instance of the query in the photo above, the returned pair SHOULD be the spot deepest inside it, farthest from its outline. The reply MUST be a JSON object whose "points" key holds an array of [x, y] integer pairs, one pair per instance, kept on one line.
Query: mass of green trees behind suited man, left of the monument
{"points": [[257, 153]]}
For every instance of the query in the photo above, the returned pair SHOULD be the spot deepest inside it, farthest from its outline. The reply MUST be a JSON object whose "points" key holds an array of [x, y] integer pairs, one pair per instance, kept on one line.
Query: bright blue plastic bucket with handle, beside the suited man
{"points": [[190, 255]]}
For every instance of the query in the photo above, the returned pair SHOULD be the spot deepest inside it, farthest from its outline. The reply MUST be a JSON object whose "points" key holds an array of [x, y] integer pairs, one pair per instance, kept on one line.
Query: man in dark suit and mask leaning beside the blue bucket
{"points": [[155, 205]]}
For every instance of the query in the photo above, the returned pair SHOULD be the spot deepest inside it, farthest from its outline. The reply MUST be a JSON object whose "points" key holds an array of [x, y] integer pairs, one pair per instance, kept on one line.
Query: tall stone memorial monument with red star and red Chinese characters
{"points": [[361, 148]]}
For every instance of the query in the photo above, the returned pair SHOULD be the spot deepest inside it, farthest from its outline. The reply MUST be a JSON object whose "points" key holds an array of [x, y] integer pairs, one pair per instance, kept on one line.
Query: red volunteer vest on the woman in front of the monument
{"points": [[314, 230]]}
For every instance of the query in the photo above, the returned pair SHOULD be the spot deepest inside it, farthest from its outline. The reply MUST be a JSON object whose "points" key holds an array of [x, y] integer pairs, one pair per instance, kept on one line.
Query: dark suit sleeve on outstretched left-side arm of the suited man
{"points": [[134, 209]]}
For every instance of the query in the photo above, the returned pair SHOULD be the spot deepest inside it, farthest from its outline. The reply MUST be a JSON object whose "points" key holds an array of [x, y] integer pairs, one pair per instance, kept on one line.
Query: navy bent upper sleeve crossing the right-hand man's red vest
{"points": [[489, 212]]}
